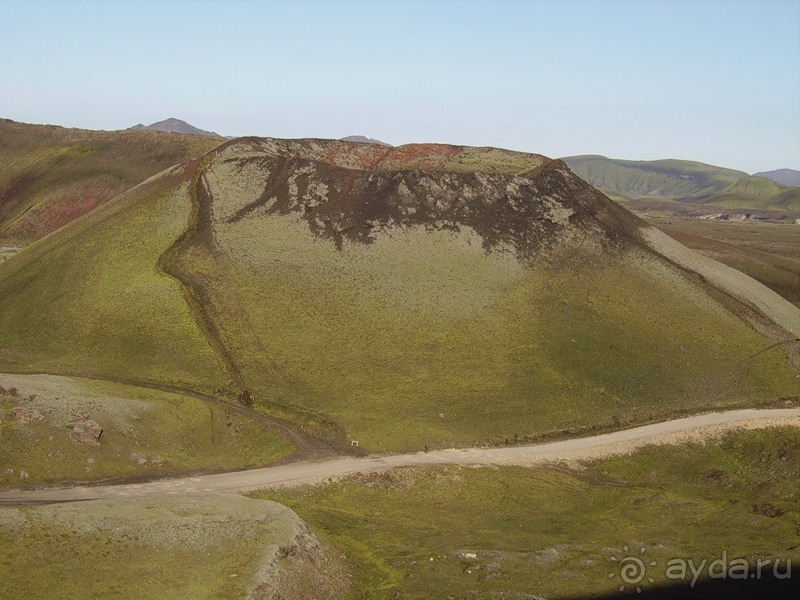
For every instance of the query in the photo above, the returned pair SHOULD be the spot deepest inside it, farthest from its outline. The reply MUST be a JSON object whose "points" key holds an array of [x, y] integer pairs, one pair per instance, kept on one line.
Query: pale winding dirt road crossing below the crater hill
{"points": [[697, 428]]}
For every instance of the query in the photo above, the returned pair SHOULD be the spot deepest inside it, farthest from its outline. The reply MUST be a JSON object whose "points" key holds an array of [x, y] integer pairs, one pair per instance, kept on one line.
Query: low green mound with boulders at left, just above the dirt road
{"points": [[145, 432]]}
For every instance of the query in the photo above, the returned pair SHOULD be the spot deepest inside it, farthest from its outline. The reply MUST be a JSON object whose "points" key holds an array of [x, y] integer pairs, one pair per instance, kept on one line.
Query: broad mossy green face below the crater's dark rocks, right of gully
{"points": [[433, 356]]}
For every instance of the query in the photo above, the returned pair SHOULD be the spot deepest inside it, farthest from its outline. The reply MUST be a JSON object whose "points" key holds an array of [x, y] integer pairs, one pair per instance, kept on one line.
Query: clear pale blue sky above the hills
{"points": [[710, 80]]}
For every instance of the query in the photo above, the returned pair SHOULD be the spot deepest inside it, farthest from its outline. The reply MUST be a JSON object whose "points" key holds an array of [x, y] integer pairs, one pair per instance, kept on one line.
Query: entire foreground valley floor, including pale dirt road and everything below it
{"points": [[560, 520]]}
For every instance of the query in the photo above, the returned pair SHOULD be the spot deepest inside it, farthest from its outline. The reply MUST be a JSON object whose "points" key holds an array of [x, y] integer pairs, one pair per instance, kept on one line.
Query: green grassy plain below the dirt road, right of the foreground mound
{"points": [[513, 532]]}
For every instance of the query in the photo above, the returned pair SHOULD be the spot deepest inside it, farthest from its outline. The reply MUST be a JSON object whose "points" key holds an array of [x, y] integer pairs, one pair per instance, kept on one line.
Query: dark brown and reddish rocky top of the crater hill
{"points": [[349, 192]]}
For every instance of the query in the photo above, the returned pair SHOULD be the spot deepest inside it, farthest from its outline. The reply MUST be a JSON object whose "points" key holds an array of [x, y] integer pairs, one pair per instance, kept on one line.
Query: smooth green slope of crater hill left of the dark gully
{"points": [[90, 298]]}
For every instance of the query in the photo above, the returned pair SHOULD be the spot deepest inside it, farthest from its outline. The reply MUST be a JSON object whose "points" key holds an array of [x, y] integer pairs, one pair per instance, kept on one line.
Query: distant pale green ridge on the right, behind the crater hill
{"points": [[628, 179]]}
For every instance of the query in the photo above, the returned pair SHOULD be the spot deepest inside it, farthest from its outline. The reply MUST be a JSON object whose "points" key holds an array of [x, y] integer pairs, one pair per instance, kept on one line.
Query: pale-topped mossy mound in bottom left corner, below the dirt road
{"points": [[200, 546]]}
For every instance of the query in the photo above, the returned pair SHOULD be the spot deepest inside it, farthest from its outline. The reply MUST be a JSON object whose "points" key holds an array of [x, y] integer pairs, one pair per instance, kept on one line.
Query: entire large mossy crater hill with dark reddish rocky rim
{"points": [[403, 297]]}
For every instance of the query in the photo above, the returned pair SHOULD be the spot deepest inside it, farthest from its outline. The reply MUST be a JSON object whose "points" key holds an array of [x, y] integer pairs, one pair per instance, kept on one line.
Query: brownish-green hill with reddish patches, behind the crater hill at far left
{"points": [[52, 175]]}
